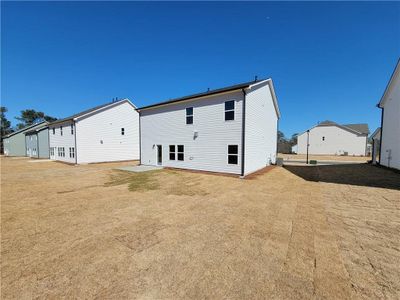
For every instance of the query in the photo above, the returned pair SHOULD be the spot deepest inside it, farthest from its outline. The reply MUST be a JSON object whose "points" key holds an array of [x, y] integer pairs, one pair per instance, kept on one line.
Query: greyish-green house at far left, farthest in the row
{"points": [[14, 143]]}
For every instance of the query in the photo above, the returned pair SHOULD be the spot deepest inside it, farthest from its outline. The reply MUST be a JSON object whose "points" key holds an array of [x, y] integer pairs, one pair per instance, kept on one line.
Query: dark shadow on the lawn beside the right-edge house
{"points": [[353, 174]]}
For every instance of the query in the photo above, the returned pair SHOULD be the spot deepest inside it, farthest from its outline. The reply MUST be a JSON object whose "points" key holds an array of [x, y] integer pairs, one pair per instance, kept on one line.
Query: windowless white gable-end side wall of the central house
{"points": [[261, 129]]}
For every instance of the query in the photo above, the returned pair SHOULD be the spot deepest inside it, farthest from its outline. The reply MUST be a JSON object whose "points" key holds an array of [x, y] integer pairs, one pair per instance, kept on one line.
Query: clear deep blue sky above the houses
{"points": [[328, 60]]}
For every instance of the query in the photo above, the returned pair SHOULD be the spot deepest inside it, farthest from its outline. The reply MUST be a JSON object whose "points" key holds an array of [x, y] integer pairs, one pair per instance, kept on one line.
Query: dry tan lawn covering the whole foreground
{"points": [[296, 232]]}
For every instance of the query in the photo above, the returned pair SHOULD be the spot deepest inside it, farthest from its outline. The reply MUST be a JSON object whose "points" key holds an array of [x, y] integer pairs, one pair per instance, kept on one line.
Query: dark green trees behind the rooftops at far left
{"points": [[27, 117]]}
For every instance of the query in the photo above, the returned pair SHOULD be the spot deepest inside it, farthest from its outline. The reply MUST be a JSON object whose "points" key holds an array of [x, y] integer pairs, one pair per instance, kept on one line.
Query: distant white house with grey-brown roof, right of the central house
{"points": [[330, 138]]}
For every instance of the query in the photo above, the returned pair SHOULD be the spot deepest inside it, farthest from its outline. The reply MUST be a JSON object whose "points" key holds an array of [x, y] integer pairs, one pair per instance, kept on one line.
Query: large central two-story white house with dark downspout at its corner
{"points": [[229, 130]]}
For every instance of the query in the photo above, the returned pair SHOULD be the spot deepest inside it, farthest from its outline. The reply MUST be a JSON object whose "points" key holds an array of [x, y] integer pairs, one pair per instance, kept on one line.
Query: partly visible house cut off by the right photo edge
{"points": [[389, 155]]}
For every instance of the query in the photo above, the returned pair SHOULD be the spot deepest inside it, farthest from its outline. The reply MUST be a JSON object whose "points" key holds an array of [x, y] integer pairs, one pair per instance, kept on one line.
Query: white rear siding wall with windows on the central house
{"points": [[166, 125]]}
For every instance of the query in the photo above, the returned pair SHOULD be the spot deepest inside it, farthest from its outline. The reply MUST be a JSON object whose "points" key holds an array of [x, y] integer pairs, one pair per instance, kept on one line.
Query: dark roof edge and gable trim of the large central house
{"points": [[218, 91]]}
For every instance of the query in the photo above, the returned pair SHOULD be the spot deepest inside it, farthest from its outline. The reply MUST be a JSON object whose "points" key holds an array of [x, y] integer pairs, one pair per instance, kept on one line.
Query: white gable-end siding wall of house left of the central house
{"points": [[99, 137]]}
